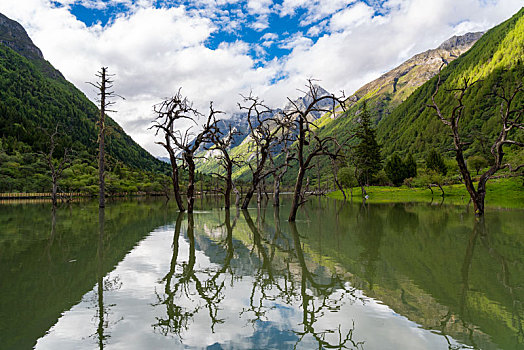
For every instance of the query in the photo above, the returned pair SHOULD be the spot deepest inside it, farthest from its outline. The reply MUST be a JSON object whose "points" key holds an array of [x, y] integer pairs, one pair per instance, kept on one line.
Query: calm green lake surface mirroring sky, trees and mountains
{"points": [[138, 275]]}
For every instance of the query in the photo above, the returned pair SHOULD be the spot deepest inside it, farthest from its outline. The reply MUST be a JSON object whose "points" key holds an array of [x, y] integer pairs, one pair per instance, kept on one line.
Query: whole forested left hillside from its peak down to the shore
{"points": [[34, 100]]}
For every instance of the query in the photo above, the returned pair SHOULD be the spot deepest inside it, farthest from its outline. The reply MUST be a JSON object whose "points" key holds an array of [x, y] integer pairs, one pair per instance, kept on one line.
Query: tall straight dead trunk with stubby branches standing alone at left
{"points": [[104, 93]]}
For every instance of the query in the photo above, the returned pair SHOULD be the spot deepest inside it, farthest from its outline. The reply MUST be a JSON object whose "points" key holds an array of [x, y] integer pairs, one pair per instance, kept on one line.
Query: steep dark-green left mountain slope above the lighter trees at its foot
{"points": [[35, 96]]}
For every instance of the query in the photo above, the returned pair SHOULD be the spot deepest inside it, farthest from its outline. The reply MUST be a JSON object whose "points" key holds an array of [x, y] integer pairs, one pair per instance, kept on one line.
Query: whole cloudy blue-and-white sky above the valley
{"points": [[216, 50]]}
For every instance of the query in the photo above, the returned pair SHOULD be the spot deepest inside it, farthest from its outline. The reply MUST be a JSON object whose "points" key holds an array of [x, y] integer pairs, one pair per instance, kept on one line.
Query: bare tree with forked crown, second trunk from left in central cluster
{"points": [[175, 110]]}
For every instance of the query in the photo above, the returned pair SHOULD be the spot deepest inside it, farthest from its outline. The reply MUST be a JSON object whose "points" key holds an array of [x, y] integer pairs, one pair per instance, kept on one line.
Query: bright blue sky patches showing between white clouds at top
{"points": [[267, 25]]}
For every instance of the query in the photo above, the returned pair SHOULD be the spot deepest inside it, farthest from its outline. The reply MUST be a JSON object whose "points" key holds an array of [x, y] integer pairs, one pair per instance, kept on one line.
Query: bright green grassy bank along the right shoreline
{"points": [[501, 193]]}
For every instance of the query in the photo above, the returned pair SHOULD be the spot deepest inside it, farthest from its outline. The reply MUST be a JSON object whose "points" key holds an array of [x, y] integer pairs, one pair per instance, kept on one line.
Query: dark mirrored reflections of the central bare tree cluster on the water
{"points": [[280, 276]]}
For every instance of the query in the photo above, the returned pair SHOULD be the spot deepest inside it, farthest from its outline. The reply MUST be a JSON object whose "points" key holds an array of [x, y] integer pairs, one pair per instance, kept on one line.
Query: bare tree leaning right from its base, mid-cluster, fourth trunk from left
{"points": [[263, 134]]}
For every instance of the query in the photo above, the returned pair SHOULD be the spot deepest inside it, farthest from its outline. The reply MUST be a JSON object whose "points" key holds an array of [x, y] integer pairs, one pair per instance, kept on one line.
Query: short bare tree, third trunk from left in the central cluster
{"points": [[223, 143]]}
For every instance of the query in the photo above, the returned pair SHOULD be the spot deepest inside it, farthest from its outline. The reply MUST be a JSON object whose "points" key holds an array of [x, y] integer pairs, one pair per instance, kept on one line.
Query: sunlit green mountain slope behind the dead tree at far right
{"points": [[496, 58]]}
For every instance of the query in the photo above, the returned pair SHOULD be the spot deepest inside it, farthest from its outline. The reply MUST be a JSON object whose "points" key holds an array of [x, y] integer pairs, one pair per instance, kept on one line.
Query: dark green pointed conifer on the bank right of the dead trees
{"points": [[367, 155]]}
